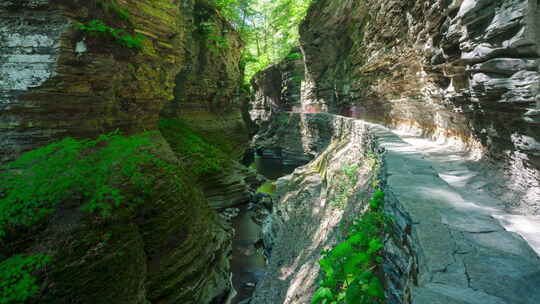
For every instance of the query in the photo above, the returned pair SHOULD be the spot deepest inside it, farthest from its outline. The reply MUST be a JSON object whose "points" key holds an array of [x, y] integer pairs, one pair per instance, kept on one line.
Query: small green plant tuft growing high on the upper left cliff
{"points": [[97, 27]]}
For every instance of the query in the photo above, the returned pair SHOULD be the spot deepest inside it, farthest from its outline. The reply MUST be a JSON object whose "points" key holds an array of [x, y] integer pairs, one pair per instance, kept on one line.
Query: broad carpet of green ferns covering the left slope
{"points": [[89, 171]]}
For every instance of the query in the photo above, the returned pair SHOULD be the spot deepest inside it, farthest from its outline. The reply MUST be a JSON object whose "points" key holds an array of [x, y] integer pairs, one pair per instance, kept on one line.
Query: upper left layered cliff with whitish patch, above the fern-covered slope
{"points": [[57, 82]]}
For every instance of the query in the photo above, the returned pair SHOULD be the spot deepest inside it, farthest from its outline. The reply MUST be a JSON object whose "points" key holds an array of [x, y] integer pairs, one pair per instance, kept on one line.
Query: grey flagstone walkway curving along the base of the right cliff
{"points": [[466, 251]]}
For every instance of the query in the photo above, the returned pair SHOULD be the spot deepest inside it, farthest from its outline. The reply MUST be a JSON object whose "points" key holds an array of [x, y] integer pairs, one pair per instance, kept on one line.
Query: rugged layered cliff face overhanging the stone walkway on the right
{"points": [[460, 70]]}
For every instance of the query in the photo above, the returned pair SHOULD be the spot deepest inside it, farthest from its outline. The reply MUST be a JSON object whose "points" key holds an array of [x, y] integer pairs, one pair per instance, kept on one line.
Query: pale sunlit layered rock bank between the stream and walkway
{"points": [[307, 217]]}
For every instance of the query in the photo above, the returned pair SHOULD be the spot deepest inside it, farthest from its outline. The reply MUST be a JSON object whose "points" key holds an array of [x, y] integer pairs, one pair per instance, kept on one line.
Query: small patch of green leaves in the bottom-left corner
{"points": [[16, 281]]}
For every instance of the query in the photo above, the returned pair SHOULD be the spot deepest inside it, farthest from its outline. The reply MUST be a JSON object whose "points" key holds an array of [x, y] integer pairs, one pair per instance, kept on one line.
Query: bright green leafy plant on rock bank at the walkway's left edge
{"points": [[350, 268]]}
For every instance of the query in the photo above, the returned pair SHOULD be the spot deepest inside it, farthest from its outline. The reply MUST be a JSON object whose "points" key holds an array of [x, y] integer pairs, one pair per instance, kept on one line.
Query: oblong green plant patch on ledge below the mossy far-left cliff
{"points": [[204, 158]]}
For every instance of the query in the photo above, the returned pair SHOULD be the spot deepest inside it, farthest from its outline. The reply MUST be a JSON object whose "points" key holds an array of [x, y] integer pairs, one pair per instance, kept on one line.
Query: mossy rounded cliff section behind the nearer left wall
{"points": [[207, 92]]}
